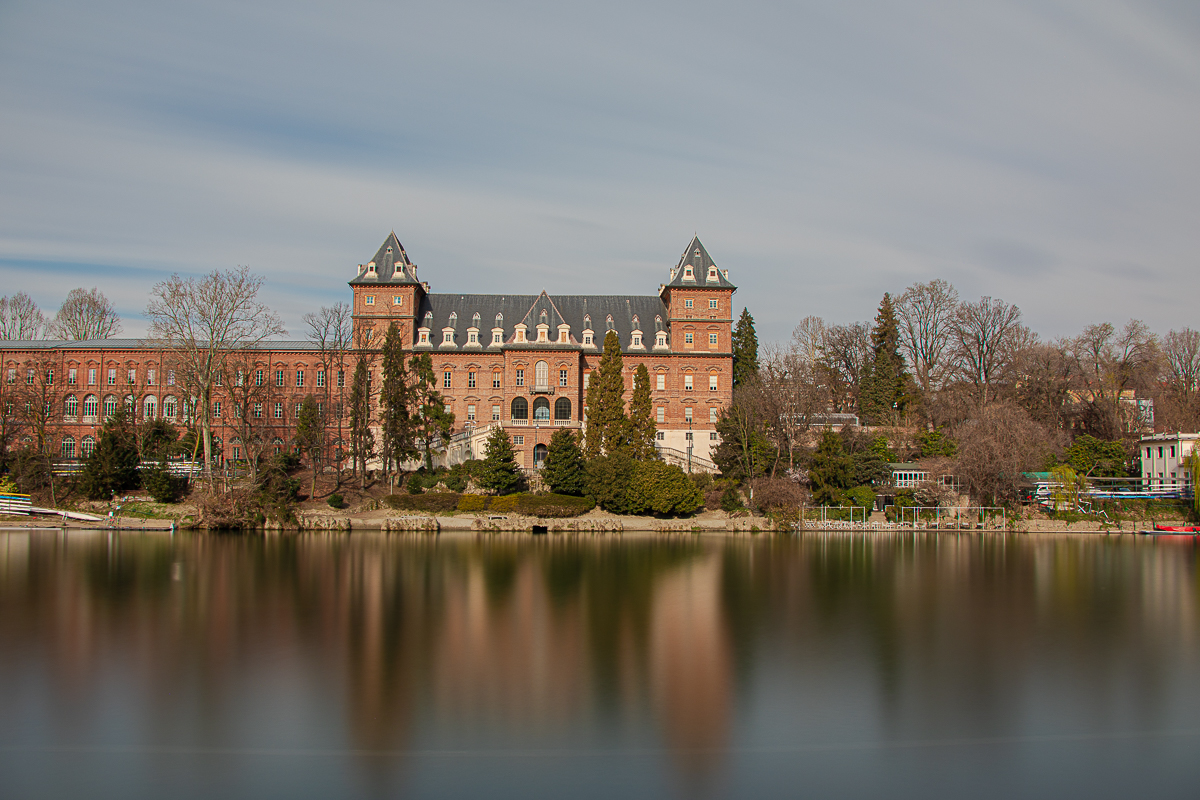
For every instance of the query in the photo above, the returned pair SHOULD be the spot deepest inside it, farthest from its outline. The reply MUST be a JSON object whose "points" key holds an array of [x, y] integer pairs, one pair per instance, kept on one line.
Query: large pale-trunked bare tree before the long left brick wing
{"points": [[203, 321]]}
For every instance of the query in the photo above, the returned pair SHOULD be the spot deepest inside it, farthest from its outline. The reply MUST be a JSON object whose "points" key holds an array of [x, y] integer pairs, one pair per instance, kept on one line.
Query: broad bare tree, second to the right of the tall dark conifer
{"points": [[987, 335]]}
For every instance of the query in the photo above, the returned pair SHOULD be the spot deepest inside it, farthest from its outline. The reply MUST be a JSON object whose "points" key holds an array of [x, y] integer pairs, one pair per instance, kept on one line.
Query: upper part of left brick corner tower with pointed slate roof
{"points": [[386, 291]]}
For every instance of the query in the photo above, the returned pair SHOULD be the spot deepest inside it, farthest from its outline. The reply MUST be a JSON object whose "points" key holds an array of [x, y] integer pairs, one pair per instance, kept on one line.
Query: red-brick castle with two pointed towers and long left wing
{"points": [[523, 362]]}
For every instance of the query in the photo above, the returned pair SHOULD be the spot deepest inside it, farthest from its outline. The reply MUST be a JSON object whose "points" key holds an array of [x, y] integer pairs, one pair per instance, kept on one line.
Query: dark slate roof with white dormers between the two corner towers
{"points": [[574, 310]]}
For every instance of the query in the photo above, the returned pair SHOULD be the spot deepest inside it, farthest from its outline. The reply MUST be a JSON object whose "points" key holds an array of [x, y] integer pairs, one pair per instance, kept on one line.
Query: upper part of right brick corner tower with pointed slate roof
{"points": [[700, 304]]}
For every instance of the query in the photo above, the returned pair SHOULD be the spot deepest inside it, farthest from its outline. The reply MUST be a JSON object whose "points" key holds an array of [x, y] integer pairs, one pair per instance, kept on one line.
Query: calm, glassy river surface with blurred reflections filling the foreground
{"points": [[998, 666]]}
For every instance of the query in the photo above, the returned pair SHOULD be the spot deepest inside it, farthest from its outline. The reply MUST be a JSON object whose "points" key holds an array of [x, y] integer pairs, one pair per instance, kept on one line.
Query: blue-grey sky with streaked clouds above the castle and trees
{"points": [[1045, 153]]}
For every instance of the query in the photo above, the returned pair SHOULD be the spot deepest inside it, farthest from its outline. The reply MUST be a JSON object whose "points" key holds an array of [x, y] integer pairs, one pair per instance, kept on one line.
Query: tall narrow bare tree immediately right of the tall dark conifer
{"points": [[927, 316]]}
